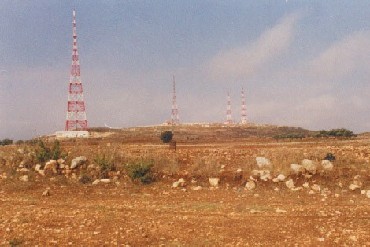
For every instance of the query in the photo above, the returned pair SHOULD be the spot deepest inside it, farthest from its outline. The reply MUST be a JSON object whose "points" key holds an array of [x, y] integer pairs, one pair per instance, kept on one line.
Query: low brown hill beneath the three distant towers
{"points": [[200, 132]]}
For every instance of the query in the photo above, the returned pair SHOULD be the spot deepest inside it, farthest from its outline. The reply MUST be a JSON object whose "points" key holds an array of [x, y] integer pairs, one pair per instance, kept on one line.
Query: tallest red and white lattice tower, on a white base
{"points": [[76, 114]]}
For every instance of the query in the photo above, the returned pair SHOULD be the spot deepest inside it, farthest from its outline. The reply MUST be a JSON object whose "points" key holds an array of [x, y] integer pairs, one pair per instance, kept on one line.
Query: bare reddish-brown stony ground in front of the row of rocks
{"points": [[158, 215]]}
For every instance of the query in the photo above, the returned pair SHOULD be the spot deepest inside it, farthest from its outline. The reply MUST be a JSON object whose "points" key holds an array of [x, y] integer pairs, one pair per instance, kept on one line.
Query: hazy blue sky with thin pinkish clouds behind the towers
{"points": [[301, 63]]}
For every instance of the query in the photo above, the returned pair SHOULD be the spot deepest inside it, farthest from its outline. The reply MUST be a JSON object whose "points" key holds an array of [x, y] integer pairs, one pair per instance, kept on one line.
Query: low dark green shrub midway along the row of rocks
{"points": [[141, 171]]}
